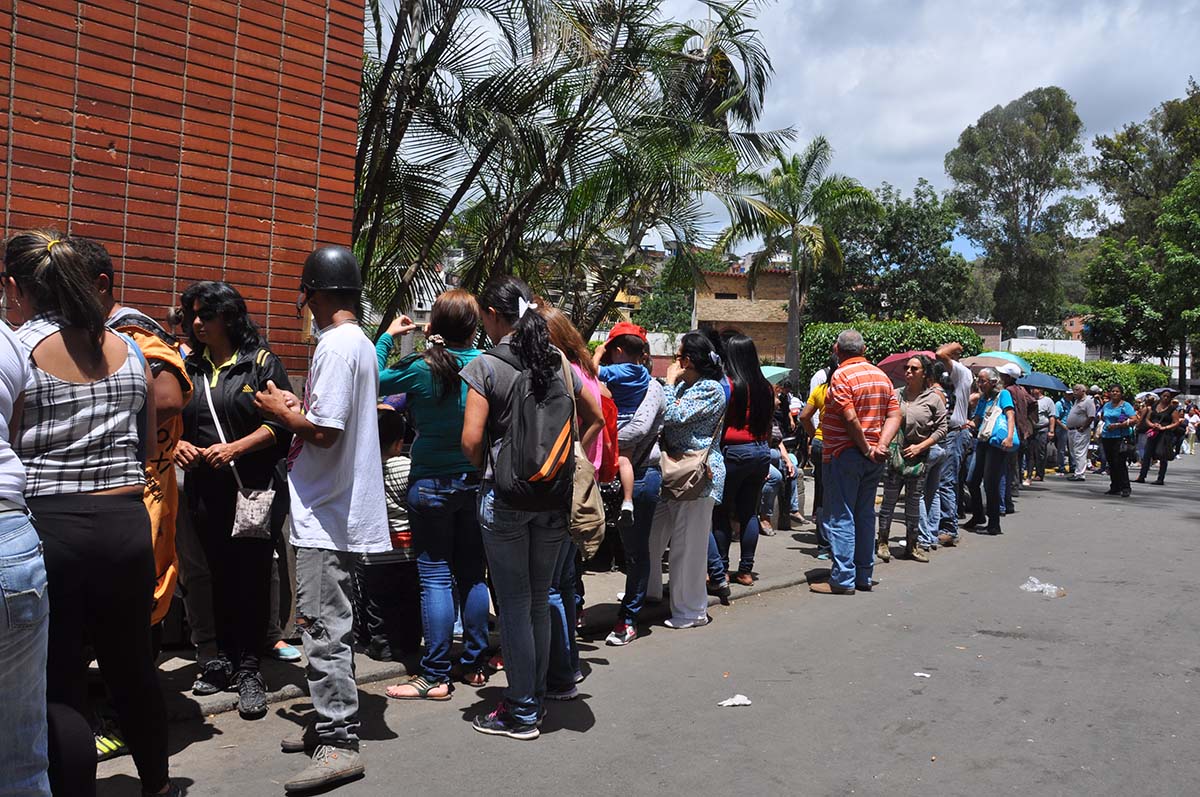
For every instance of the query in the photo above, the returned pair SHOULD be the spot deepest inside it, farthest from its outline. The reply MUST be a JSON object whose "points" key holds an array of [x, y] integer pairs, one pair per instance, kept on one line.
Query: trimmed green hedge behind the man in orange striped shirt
{"points": [[884, 338]]}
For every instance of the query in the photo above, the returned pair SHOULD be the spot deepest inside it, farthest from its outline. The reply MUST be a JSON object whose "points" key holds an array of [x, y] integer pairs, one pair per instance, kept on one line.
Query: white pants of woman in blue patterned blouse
{"points": [[686, 525]]}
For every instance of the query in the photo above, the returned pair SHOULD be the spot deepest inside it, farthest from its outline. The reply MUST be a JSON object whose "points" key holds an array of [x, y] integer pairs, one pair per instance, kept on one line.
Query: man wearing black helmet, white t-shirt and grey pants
{"points": [[338, 507]]}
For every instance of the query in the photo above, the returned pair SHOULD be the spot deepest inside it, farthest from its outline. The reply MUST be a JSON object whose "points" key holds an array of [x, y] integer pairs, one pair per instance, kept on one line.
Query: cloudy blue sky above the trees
{"points": [[893, 85]]}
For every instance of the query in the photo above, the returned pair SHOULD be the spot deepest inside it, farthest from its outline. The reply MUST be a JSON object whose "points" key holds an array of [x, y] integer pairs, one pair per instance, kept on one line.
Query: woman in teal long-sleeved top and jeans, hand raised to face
{"points": [[442, 494]]}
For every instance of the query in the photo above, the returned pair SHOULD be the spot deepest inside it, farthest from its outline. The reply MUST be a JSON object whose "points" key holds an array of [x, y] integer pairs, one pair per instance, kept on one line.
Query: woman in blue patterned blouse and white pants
{"points": [[692, 423]]}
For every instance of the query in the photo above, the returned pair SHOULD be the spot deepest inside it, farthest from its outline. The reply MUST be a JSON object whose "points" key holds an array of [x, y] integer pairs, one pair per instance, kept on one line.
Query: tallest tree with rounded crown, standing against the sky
{"points": [[1013, 172]]}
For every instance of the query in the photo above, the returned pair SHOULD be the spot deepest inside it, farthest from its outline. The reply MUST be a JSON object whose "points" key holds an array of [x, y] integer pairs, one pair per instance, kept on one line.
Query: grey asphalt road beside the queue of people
{"points": [[1088, 694]]}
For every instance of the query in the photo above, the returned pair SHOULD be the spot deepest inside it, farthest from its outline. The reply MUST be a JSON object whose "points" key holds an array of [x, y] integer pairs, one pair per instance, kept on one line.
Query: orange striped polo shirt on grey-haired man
{"points": [[868, 391]]}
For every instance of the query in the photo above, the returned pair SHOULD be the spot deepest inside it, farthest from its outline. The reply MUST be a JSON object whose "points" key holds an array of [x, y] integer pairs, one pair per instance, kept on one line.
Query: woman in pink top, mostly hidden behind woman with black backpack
{"points": [[565, 607]]}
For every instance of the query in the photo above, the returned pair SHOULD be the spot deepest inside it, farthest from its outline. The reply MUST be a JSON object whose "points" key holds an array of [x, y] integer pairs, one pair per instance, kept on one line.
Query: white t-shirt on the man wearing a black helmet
{"points": [[338, 501]]}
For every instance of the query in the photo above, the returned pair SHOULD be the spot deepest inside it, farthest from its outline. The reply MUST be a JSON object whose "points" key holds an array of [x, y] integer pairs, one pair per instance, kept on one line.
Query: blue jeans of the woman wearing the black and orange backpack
{"points": [[523, 554]]}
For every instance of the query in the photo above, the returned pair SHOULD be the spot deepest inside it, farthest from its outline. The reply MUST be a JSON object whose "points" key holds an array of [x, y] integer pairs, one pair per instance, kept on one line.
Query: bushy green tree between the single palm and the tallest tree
{"points": [[901, 260]]}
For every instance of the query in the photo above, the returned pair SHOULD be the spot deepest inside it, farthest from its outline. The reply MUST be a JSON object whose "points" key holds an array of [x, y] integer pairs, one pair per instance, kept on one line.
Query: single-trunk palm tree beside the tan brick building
{"points": [[794, 209]]}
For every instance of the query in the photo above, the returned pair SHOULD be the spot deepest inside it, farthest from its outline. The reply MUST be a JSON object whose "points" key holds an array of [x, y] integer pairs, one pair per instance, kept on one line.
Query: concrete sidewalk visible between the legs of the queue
{"points": [[781, 561]]}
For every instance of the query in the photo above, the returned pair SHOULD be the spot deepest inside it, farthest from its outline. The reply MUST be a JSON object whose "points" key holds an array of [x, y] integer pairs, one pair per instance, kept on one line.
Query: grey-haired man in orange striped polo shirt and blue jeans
{"points": [[861, 418]]}
